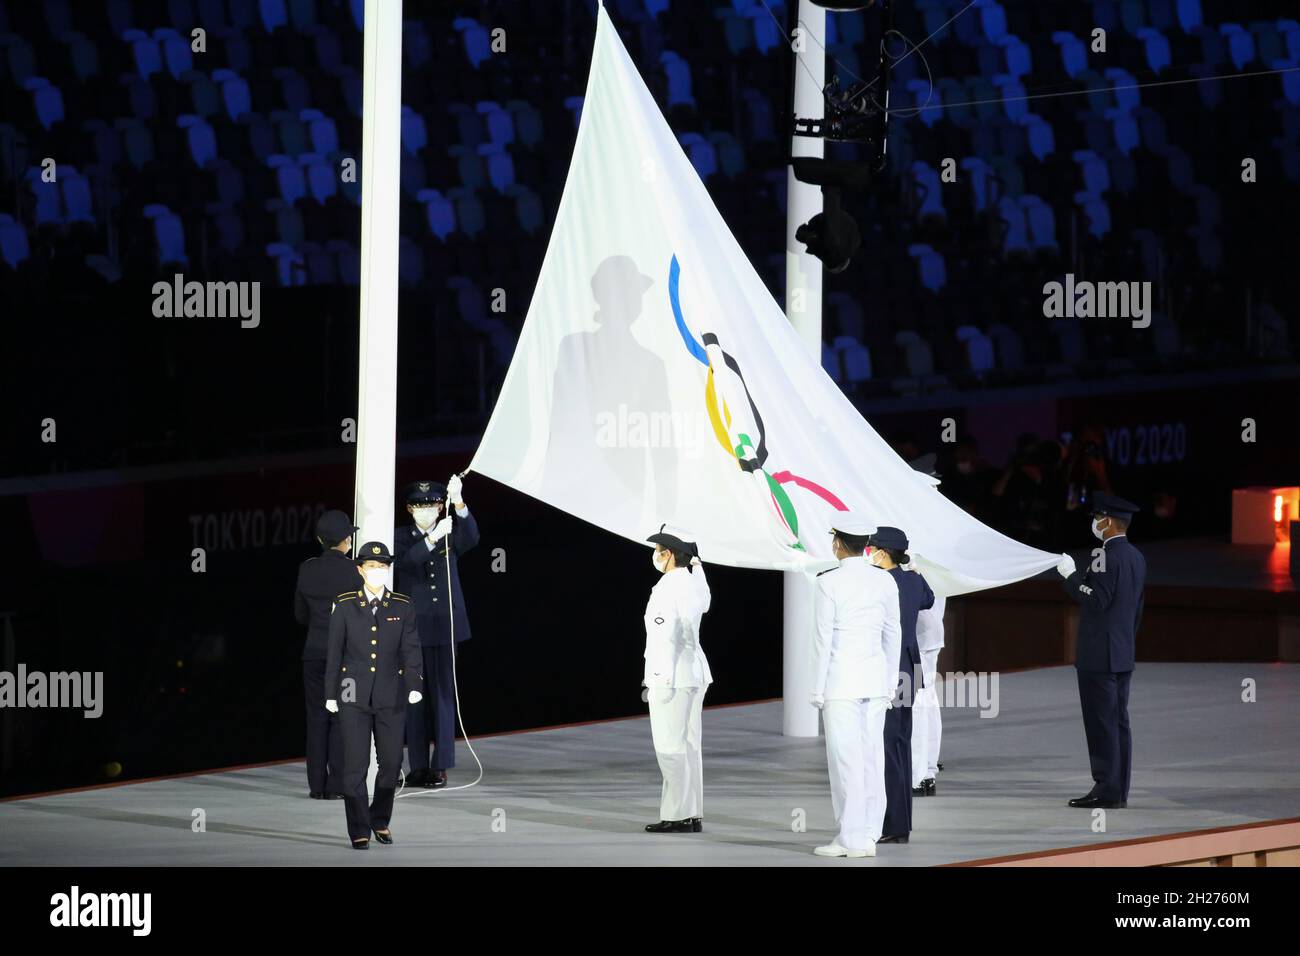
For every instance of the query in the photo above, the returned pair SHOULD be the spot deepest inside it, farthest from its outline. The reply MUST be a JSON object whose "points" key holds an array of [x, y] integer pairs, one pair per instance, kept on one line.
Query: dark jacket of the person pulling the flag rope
{"points": [[423, 574]]}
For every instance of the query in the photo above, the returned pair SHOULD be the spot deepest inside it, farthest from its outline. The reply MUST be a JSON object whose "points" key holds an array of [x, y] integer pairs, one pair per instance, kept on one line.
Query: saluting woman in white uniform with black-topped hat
{"points": [[677, 680]]}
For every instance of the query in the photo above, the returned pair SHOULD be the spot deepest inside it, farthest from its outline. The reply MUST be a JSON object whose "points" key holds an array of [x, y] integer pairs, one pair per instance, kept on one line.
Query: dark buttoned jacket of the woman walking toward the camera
{"points": [[379, 651]]}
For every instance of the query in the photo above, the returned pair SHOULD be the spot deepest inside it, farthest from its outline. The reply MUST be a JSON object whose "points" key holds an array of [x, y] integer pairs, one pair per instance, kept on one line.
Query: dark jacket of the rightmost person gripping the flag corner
{"points": [[1111, 603]]}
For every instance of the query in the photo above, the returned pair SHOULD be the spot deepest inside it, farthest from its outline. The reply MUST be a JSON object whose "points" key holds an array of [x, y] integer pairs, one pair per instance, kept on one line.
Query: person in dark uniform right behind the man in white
{"points": [[889, 551]]}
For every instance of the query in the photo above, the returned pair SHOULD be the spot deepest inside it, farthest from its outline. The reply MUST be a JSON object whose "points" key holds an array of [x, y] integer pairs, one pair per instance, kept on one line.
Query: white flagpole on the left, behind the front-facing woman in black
{"points": [[378, 375]]}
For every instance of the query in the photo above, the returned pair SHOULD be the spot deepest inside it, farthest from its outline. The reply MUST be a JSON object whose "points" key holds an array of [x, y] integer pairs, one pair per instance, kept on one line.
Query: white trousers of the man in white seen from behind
{"points": [[856, 759]]}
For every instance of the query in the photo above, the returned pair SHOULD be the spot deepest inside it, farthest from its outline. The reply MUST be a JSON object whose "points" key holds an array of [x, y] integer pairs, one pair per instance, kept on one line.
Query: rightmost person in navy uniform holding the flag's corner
{"points": [[1111, 598]]}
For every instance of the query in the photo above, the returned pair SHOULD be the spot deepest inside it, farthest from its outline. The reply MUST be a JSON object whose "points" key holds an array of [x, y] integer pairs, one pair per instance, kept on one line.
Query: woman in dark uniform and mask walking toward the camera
{"points": [[372, 676]]}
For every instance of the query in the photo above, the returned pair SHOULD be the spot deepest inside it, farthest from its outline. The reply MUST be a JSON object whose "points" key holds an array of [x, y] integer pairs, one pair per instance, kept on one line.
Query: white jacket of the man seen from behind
{"points": [[857, 642]]}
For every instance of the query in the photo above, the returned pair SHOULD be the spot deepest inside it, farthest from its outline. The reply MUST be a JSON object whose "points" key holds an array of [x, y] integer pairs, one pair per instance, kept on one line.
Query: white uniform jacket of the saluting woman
{"points": [[674, 656]]}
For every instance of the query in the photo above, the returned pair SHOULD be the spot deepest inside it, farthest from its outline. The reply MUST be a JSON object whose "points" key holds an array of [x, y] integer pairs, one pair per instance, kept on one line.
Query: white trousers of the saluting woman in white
{"points": [[675, 724]]}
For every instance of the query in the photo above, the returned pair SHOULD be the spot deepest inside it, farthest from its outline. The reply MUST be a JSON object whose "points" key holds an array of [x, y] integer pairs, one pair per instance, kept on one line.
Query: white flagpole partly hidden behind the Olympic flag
{"points": [[804, 310]]}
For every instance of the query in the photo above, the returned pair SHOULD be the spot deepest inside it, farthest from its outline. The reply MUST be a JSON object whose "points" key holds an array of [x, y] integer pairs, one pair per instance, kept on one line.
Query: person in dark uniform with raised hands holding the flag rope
{"points": [[423, 551]]}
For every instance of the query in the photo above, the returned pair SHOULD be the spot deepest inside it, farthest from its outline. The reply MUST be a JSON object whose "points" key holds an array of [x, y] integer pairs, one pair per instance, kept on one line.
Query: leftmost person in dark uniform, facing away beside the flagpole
{"points": [[319, 582]]}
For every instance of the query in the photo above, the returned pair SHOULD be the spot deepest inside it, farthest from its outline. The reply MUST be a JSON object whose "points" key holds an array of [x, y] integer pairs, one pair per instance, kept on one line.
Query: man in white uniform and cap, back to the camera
{"points": [[856, 650]]}
